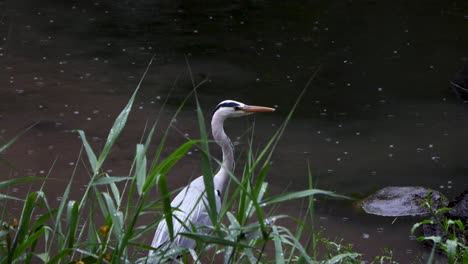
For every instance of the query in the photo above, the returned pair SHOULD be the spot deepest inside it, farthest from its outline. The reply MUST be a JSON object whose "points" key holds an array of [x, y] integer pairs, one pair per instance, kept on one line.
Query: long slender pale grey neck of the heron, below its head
{"points": [[227, 166]]}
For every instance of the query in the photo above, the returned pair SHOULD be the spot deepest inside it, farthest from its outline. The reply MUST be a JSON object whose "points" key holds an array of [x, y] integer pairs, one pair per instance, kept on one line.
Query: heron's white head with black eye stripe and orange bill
{"points": [[231, 108]]}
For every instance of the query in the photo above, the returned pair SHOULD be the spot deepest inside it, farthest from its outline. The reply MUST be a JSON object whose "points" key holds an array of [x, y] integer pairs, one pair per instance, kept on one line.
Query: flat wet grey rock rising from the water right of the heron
{"points": [[402, 201]]}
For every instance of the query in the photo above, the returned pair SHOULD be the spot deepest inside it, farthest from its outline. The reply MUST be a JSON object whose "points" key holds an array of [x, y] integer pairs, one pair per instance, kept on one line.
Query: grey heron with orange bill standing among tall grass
{"points": [[190, 210]]}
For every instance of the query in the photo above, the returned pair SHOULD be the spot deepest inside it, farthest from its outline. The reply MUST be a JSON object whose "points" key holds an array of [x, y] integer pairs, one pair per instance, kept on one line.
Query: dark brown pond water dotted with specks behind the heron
{"points": [[379, 113]]}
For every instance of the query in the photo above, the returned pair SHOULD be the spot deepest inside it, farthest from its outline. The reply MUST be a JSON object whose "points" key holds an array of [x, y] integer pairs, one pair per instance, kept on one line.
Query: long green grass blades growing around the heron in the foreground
{"points": [[104, 226]]}
